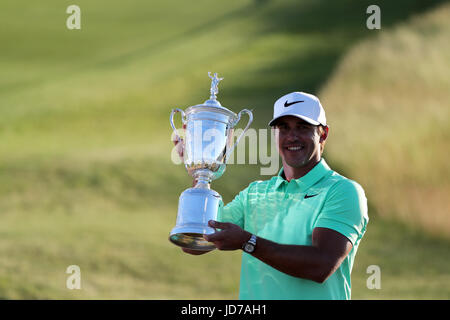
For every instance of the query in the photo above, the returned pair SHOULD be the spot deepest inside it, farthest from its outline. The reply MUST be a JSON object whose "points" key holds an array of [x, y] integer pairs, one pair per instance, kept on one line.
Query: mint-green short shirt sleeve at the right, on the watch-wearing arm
{"points": [[345, 210]]}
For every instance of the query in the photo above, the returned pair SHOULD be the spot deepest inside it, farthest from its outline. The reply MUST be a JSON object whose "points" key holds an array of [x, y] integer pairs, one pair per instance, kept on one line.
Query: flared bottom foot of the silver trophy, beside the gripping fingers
{"points": [[190, 239]]}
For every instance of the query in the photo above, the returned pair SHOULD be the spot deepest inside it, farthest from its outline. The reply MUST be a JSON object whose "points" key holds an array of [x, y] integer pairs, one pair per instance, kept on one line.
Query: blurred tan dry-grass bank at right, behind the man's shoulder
{"points": [[395, 119]]}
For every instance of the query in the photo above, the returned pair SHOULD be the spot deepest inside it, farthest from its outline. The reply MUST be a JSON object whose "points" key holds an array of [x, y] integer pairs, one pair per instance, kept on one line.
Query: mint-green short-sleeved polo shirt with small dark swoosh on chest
{"points": [[287, 213]]}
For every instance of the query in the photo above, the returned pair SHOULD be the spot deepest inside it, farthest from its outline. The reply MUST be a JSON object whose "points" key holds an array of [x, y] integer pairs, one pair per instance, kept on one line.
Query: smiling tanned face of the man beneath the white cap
{"points": [[299, 142]]}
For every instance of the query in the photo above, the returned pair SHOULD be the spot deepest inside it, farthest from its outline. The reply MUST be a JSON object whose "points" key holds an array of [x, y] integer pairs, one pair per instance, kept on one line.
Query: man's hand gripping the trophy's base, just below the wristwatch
{"points": [[231, 236]]}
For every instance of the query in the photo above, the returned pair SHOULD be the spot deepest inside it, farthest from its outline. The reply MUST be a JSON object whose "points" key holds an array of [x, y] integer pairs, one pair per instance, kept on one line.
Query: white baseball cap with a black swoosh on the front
{"points": [[301, 105]]}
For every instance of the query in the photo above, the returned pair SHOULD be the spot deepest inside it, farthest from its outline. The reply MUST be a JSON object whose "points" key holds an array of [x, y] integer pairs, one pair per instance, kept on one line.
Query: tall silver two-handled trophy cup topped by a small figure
{"points": [[208, 144]]}
